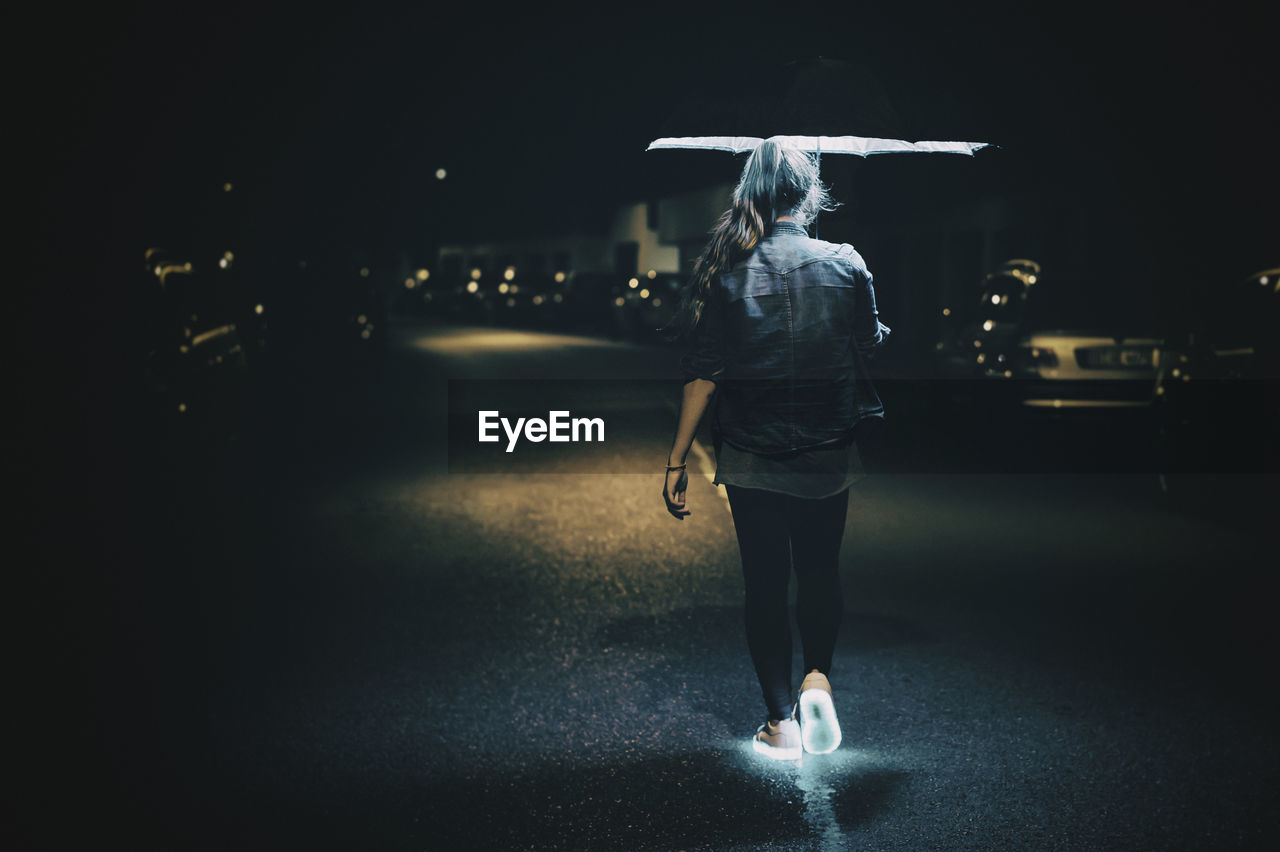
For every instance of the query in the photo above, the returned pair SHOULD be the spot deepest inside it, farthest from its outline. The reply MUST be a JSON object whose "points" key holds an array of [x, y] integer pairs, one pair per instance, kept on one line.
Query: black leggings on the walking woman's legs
{"points": [[767, 523]]}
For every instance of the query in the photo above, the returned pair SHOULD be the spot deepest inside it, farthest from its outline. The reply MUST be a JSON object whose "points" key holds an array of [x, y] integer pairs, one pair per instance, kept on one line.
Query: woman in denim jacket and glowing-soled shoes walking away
{"points": [[779, 331]]}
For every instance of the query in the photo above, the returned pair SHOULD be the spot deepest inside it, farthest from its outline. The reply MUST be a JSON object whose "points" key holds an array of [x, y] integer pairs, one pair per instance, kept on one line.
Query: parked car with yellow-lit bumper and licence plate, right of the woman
{"points": [[1053, 375]]}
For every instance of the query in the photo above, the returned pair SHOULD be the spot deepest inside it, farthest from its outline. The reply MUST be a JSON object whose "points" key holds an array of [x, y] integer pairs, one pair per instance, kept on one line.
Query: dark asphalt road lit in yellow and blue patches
{"points": [[327, 638]]}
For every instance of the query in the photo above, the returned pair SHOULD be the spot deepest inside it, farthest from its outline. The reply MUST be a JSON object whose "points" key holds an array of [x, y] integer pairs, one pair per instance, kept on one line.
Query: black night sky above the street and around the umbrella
{"points": [[335, 120]]}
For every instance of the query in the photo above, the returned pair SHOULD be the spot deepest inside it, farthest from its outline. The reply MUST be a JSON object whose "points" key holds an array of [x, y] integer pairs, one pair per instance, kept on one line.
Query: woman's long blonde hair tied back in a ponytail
{"points": [[776, 181]]}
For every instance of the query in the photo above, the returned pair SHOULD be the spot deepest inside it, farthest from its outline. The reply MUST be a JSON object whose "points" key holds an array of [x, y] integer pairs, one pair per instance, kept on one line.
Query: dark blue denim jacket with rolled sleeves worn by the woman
{"points": [[787, 337]]}
